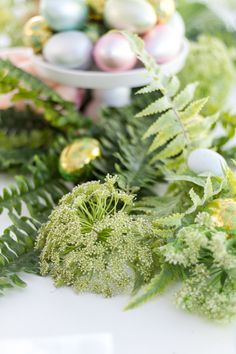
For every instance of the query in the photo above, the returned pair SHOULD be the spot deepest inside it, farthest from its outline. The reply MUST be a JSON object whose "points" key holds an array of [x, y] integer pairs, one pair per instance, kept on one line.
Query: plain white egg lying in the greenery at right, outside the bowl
{"points": [[202, 161]]}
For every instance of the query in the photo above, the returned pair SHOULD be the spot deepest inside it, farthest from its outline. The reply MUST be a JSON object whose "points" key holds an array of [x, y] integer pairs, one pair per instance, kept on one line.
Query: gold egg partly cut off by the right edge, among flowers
{"points": [[223, 213]]}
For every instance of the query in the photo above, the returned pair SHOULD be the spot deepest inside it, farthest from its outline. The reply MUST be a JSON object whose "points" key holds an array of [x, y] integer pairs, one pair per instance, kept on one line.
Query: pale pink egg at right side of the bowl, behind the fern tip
{"points": [[163, 43]]}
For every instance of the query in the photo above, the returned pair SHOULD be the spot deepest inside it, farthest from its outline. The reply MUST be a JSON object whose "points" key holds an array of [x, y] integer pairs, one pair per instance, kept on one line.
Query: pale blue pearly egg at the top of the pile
{"points": [[64, 15]]}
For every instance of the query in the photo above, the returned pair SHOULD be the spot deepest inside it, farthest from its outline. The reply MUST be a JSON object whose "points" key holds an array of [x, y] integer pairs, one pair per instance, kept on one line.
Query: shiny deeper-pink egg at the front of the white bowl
{"points": [[113, 53]]}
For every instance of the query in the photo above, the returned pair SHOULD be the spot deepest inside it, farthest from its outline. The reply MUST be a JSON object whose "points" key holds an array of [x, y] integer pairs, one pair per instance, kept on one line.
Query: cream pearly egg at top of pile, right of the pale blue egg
{"points": [[133, 15]]}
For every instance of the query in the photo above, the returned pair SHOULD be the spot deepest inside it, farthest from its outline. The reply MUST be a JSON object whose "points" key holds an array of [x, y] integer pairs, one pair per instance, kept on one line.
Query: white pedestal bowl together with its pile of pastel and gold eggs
{"points": [[74, 45]]}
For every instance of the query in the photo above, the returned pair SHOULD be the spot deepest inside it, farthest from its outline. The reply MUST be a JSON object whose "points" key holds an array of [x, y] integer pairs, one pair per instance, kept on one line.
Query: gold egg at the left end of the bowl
{"points": [[36, 33]]}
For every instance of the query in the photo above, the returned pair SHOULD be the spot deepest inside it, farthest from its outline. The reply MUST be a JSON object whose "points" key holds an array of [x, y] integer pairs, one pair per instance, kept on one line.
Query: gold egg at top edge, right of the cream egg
{"points": [[165, 9]]}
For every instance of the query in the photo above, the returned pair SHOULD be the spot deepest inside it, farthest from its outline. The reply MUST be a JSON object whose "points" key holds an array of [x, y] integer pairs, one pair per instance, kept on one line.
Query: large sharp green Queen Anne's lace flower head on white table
{"points": [[92, 243]]}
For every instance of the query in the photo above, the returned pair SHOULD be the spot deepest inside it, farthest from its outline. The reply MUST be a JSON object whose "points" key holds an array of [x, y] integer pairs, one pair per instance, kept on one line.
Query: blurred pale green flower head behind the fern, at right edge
{"points": [[209, 63]]}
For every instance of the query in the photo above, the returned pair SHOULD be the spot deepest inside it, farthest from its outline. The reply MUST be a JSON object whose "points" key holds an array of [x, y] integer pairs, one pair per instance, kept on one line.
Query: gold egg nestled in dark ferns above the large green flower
{"points": [[76, 157]]}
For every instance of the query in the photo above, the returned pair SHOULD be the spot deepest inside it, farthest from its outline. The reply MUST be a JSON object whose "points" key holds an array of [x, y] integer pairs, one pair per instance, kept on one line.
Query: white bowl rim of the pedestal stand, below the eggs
{"points": [[104, 80]]}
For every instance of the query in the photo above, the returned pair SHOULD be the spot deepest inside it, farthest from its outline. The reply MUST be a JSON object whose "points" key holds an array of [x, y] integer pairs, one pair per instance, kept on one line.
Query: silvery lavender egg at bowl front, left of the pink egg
{"points": [[72, 50]]}
